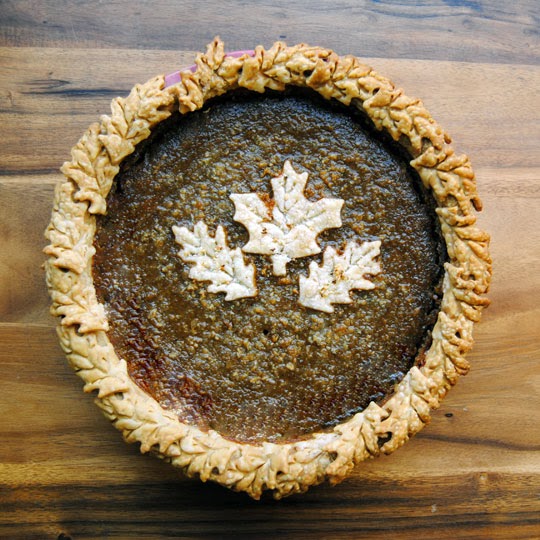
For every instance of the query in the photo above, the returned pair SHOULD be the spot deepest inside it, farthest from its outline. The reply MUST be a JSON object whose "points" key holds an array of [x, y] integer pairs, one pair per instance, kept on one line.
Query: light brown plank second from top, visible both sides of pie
{"points": [[49, 97]]}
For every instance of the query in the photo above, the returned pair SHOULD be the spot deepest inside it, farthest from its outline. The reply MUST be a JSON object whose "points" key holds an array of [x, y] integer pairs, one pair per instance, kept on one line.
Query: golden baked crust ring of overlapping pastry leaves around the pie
{"points": [[291, 467]]}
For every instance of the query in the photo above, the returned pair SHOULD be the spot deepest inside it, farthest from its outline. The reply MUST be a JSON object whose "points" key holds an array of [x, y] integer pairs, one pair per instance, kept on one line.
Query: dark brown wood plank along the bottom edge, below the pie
{"points": [[354, 510]]}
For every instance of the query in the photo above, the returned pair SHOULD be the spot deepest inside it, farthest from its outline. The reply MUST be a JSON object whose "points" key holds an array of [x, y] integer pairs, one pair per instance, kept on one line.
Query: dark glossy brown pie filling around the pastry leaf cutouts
{"points": [[265, 366]]}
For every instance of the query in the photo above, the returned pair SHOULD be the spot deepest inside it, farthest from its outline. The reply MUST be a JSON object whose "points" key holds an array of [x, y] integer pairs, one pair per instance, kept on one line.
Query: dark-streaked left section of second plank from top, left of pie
{"points": [[49, 97]]}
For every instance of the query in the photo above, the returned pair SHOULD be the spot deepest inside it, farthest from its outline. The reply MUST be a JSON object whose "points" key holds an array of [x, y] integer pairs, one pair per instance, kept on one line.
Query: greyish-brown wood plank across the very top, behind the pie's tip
{"points": [[462, 30]]}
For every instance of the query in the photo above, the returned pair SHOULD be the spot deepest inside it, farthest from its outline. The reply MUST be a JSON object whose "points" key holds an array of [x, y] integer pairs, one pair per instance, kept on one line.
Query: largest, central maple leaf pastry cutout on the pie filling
{"points": [[288, 226]]}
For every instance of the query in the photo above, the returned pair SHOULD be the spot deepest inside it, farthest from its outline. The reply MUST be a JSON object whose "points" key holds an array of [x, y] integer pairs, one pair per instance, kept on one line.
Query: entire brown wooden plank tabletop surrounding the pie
{"points": [[473, 473]]}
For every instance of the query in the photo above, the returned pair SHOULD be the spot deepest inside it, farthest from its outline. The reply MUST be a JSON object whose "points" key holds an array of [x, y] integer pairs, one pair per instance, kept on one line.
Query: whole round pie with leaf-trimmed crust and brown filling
{"points": [[267, 266]]}
